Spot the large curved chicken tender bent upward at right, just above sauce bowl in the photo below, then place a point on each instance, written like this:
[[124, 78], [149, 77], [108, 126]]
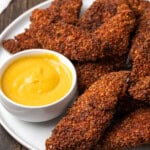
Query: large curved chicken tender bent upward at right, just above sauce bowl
[[110, 39]]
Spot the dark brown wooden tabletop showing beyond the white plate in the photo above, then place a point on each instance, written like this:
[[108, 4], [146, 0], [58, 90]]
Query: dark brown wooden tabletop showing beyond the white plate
[[16, 8]]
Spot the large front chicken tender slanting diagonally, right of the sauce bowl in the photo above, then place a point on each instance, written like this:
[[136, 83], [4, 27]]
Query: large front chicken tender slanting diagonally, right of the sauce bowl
[[86, 120]]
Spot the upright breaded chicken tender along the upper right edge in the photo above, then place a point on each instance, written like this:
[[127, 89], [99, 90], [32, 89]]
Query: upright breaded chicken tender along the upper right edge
[[140, 50]]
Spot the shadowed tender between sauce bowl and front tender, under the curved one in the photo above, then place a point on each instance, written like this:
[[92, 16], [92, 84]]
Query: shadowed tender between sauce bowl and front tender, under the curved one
[[89, 72]]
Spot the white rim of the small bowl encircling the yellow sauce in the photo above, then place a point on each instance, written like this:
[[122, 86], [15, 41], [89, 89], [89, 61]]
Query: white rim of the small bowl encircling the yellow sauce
[[27, 52]]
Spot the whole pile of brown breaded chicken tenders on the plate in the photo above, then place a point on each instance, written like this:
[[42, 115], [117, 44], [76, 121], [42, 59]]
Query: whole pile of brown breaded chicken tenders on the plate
[[109, 44]]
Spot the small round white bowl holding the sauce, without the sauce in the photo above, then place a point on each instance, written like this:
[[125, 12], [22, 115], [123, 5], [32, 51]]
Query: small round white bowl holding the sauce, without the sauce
[[39, 113]]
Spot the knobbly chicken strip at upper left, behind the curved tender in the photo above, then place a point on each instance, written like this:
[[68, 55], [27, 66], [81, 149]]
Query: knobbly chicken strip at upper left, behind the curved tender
[[65, 10]]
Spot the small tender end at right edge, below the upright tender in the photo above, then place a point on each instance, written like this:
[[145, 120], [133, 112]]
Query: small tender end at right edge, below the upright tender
[[141, 89]]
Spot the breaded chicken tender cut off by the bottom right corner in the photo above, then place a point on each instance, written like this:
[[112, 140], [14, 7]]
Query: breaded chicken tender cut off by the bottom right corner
[[133, 131]]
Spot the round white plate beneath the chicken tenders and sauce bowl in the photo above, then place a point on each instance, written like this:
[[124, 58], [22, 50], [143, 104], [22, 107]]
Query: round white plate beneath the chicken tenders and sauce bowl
[[31, 135]]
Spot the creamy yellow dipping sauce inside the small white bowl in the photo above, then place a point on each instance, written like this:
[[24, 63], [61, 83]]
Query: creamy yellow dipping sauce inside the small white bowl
[[36, 80]]
